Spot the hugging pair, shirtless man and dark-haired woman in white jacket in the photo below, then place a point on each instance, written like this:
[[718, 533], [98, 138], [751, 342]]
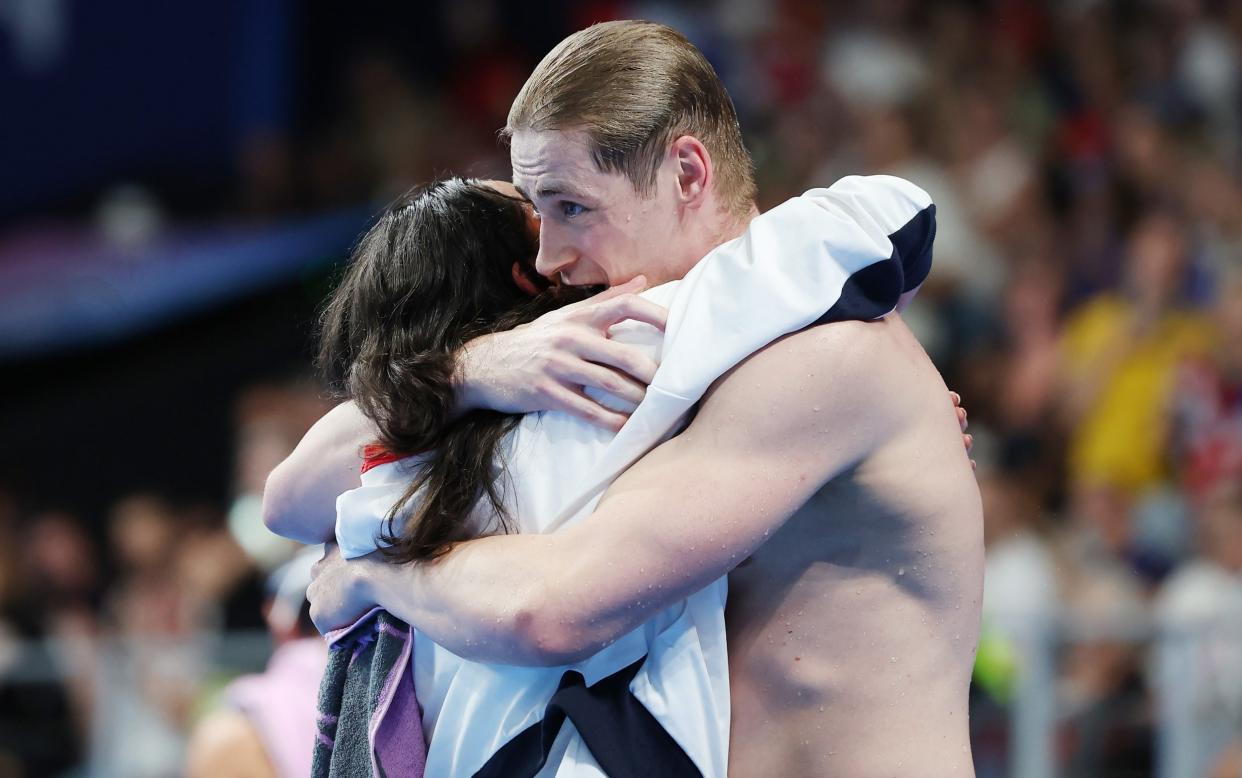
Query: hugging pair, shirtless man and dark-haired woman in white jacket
[[562, 494]]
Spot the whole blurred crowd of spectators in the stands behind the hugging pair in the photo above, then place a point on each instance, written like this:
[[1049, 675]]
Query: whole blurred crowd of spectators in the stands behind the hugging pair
[[1086, 301]]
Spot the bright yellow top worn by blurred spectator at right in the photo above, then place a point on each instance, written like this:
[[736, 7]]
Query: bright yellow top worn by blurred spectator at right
[[1122, 437]]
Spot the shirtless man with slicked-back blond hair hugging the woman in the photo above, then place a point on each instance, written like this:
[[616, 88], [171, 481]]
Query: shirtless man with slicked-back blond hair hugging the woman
[[830, 462]]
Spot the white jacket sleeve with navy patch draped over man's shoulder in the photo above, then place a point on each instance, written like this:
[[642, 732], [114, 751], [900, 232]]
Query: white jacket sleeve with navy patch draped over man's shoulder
[[832, 255]]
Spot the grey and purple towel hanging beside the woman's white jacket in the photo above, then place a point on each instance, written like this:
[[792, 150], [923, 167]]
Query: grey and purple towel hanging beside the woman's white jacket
[[369, 716]]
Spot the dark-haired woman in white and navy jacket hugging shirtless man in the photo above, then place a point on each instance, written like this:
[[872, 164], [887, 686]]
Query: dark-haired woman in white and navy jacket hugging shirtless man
[[451, 263]]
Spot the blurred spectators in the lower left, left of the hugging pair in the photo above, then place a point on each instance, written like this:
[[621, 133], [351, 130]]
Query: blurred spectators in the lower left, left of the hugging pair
[[111, 647]]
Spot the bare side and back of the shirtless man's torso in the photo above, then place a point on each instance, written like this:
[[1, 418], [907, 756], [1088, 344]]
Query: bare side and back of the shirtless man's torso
[[853, 631]]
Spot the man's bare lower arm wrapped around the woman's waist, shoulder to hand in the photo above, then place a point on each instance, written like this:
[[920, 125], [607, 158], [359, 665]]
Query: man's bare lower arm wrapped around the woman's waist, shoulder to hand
[[767, 438]]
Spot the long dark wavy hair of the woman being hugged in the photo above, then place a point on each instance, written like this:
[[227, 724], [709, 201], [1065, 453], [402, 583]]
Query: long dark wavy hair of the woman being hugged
[[437, 270]]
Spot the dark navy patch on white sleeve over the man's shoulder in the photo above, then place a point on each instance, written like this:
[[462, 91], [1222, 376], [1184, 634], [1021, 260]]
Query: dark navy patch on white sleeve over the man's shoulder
[[874, 291]]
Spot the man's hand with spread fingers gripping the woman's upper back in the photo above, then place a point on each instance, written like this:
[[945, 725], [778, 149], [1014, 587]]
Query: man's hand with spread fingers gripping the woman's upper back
[[547, 365]]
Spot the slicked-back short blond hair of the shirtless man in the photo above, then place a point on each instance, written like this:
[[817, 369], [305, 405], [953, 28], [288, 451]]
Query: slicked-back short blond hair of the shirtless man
[[635, 88]]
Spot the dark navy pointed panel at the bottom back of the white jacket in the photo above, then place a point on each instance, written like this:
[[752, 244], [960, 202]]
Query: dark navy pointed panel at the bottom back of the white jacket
[[623, 735]]
